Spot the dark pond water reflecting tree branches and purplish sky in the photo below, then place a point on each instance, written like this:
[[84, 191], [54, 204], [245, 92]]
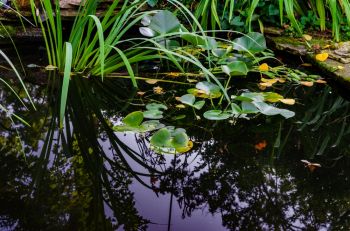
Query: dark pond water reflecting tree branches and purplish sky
[[245, 175]]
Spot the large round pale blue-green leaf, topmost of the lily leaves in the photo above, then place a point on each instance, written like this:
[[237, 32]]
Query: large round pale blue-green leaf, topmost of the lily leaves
[[164, 22]]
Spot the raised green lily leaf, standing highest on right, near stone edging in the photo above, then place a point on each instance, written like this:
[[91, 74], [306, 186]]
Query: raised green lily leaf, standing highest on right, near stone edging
[[253, 42]]
